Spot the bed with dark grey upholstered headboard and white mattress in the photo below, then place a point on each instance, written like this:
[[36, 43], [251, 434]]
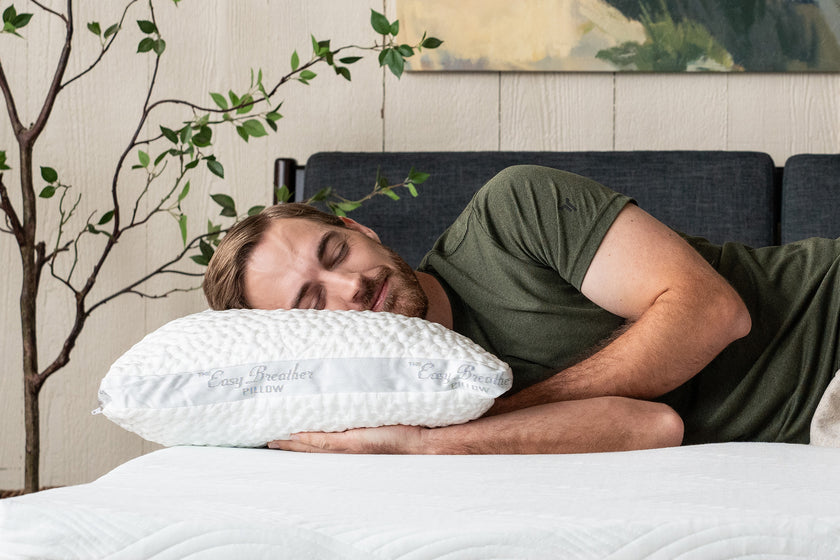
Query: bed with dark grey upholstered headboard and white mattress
[[714, 501]]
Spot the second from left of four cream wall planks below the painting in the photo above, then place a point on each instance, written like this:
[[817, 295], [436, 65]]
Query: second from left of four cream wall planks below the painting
[[556, 111]]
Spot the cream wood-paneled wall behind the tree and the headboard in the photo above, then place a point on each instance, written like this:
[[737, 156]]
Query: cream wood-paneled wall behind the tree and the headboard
[[211, 46]]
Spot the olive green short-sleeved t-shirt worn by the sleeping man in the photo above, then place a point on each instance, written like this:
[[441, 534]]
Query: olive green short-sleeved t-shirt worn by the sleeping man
[[512, 265]]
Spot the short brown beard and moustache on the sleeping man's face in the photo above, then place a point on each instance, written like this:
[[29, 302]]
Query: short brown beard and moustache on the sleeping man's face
[[405, 296]]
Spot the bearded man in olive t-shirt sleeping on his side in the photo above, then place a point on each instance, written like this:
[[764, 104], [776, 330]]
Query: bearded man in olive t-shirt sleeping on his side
[[610, 321]]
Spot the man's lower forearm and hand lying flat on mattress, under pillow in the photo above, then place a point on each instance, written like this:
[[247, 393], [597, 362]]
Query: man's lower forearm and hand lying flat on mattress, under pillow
[[592, 425]]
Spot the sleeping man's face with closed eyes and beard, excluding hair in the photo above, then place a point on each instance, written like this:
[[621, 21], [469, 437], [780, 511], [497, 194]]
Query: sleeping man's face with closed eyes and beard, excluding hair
[[308, 265]]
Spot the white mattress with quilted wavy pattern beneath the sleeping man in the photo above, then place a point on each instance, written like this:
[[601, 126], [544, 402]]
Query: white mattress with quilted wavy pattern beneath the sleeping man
[[734, 500]]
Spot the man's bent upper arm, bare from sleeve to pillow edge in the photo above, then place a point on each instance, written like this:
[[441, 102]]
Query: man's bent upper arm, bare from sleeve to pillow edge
[[681, 314]]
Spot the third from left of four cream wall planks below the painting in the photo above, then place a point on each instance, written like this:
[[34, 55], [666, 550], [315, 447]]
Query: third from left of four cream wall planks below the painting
[[670, 111]]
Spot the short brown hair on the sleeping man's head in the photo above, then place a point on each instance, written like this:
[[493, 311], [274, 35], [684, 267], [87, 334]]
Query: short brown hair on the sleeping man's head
[[224, 280]]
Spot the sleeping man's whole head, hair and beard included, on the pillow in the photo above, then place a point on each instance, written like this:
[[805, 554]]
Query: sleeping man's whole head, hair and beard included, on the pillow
[[294, 256]]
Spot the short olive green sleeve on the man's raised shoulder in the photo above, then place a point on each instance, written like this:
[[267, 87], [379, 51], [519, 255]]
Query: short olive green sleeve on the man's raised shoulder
[[551, 217]]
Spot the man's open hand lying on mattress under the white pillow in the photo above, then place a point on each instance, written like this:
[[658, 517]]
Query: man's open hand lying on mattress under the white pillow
[[383, 440]]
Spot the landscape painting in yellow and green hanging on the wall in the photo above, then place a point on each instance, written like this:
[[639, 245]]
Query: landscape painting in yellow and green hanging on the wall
[[625, 35]]
